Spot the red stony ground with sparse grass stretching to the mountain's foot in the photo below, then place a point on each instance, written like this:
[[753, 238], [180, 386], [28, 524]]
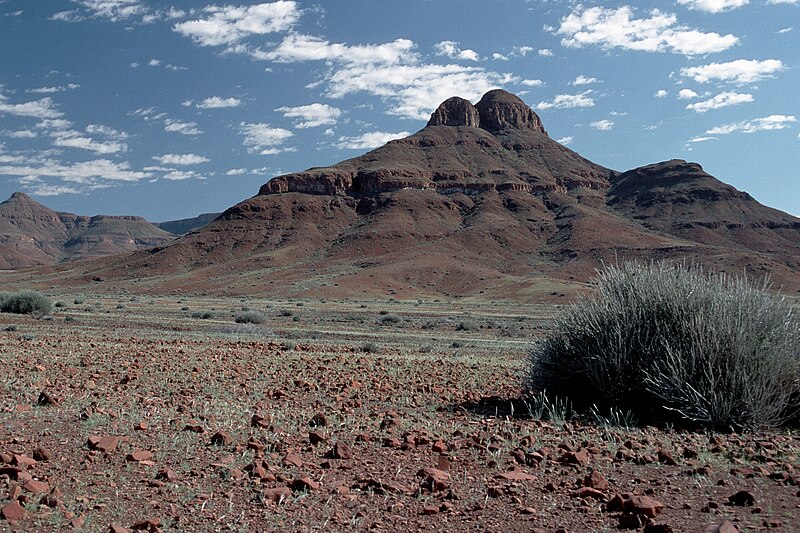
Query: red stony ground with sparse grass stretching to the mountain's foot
[[124, 412]]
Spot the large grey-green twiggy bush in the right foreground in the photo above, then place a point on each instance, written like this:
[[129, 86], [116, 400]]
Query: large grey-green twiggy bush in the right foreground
[[675, 344]]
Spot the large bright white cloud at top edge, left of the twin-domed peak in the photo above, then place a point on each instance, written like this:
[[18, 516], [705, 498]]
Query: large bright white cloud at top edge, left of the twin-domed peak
[[228, 25]]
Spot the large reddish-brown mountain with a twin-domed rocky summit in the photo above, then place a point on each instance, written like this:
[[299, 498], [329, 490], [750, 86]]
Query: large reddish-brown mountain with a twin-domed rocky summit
[[479, 203]]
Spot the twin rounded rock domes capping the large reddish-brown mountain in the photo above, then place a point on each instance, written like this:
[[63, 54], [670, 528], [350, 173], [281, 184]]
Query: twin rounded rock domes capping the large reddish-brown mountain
[[497, 110]]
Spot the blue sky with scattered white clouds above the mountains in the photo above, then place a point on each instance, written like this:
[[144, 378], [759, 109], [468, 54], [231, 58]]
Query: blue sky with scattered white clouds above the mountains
[[172, 109]]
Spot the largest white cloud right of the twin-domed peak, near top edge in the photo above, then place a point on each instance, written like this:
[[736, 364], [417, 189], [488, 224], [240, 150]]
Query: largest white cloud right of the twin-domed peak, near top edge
[[616, 28]]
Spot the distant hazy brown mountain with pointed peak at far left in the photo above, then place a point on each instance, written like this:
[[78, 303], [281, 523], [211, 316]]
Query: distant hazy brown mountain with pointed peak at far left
[[33, 235]]
